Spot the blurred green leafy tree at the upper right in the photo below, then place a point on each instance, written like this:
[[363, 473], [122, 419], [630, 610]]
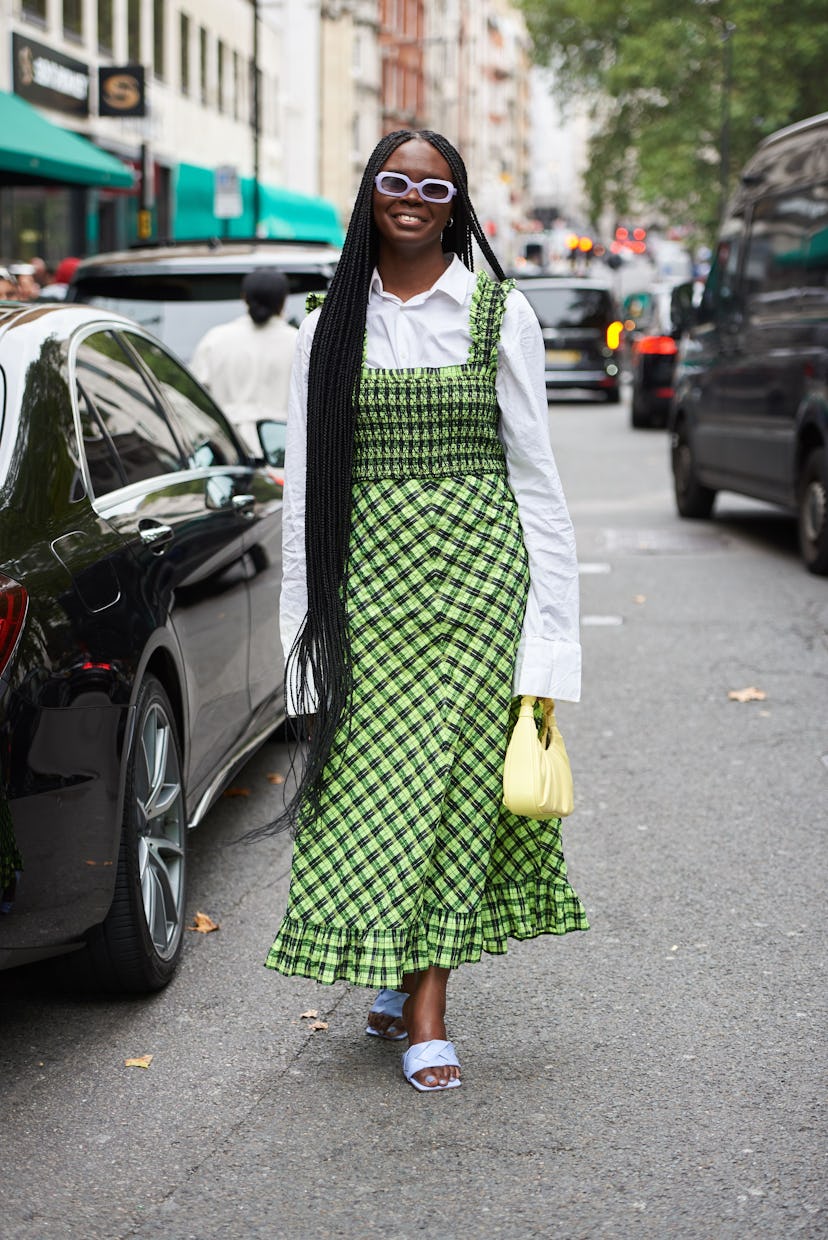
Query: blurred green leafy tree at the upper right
[[674, 84]]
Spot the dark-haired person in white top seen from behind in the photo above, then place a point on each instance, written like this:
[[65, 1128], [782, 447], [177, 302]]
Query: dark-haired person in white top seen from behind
[[246, 364]]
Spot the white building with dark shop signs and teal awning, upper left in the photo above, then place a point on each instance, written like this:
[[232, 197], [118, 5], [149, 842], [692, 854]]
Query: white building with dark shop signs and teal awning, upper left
[[218, 85]]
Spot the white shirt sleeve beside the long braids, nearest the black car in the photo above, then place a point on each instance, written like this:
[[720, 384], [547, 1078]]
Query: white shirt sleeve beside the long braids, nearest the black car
[[293, 603]]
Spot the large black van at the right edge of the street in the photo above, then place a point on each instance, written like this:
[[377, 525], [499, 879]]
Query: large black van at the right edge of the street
[[751, 412]]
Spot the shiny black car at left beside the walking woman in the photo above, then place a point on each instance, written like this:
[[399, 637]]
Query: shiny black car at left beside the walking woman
[[139, 653]]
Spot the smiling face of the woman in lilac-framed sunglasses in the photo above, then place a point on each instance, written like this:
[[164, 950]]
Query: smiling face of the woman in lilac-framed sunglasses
[[410, 224]]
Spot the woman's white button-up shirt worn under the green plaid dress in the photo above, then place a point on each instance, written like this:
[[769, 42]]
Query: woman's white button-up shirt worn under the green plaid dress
[[432, 329]]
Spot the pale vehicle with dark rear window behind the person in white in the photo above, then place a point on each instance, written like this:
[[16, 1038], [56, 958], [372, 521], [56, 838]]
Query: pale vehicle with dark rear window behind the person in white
[[179, 292]]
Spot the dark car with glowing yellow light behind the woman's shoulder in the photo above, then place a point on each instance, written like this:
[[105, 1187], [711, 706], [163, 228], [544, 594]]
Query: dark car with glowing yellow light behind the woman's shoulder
[[582, 333]]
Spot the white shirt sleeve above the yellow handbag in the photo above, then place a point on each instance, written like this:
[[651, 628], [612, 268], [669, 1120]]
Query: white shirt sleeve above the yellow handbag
[[550, 657]]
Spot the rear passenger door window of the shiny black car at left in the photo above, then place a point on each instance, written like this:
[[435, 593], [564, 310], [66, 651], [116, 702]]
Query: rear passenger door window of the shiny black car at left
[[118, 406]]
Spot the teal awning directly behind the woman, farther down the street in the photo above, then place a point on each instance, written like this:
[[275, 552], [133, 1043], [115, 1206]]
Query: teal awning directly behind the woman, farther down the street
[[283, 214]]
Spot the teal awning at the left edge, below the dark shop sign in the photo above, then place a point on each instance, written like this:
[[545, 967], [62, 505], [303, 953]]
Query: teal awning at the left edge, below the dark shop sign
[[33, 147]]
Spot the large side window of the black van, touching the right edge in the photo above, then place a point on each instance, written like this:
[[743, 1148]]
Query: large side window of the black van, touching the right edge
[[788, 249]]
